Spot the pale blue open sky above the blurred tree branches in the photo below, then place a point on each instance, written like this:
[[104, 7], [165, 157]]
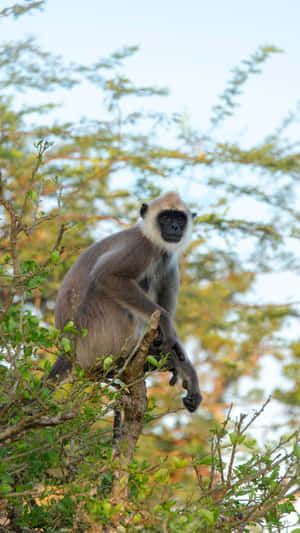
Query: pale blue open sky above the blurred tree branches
[[187, 46]]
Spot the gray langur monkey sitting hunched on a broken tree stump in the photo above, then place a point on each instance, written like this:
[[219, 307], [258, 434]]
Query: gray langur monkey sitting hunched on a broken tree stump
[[116, 284]]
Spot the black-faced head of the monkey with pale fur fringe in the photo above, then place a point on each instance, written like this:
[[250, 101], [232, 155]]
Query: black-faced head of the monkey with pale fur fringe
[[167, 222]]
